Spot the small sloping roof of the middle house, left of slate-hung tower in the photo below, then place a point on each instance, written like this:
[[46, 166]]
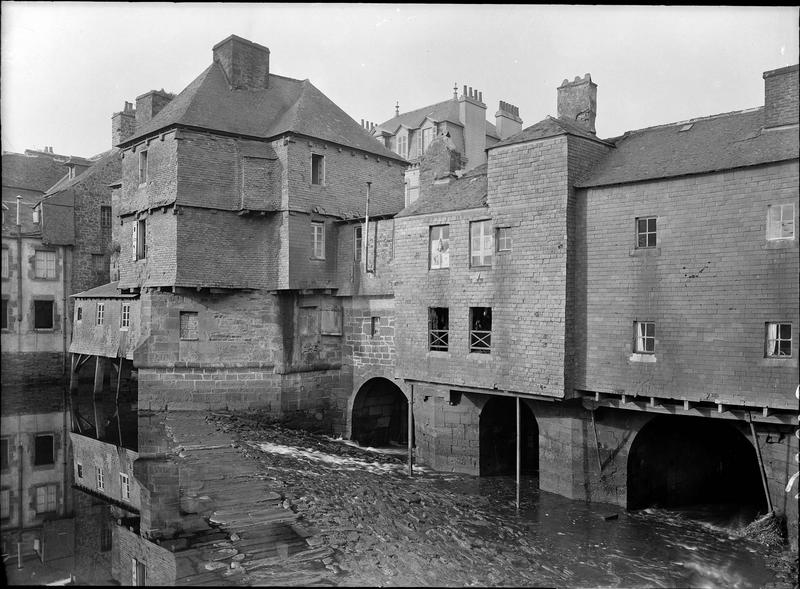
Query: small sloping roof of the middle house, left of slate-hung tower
[[467, 192]]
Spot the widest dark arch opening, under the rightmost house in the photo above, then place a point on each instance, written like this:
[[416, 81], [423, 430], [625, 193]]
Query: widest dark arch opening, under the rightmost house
[[678, 461]]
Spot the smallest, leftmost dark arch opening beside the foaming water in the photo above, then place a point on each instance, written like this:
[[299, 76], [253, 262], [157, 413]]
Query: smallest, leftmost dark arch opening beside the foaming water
[[378, 413]]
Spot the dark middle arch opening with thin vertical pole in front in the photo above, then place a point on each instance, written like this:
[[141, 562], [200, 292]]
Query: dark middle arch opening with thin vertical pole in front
[[497, 438]]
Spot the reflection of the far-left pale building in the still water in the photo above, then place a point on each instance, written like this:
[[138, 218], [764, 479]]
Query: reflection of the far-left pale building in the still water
[[35, 493]]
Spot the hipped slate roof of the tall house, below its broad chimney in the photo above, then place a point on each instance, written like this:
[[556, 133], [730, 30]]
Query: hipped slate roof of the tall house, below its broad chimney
[[287, 105]]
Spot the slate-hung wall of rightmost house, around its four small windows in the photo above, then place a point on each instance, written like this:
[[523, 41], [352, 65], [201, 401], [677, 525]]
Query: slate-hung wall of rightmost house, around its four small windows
[[711, 285]]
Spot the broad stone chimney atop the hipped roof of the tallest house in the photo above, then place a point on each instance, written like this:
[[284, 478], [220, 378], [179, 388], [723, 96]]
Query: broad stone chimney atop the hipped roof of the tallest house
[[246, 64]]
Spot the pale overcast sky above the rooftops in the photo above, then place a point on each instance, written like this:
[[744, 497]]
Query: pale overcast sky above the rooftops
[[66, 67]]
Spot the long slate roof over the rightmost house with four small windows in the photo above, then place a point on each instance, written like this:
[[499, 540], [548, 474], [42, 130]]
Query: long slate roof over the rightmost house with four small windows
[[719, 142]]
